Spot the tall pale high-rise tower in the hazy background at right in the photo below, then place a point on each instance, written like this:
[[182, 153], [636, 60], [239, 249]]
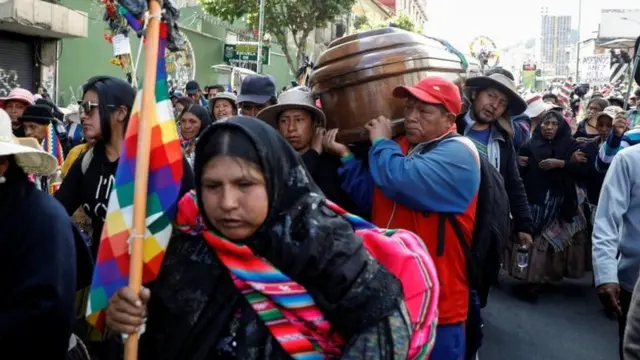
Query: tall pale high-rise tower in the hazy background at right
[[555, 43]]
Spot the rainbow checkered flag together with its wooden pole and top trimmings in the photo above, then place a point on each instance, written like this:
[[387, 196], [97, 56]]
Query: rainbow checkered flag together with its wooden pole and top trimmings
[[145, 192]]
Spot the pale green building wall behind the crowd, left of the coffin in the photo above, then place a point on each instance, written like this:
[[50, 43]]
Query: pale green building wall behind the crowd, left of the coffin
[[205, 38]]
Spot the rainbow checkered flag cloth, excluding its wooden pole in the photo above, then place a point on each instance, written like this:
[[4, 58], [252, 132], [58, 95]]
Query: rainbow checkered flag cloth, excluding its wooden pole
[[165, 174]]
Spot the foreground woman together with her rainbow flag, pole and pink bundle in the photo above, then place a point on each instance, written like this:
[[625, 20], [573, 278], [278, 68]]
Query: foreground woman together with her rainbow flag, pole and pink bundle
[[263, 267]]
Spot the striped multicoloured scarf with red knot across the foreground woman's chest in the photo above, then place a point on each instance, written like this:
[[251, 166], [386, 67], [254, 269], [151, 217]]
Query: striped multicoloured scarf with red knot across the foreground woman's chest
[[286, 308]]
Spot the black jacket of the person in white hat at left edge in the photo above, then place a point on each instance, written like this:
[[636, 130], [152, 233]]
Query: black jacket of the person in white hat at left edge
[[37, 274]]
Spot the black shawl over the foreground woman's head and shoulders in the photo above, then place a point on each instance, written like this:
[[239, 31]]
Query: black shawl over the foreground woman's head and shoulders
[[194, 297]]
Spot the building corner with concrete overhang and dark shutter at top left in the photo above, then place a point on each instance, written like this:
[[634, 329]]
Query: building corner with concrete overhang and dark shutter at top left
[[30, 38]]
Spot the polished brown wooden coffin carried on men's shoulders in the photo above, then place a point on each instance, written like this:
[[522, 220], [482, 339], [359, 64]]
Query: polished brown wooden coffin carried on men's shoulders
[[355, 76]]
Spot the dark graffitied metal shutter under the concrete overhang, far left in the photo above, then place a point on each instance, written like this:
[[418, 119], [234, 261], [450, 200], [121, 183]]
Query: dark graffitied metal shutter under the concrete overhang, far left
[[17, 63]]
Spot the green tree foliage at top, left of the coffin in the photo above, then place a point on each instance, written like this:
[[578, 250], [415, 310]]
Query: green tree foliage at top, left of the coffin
[[284, 20]]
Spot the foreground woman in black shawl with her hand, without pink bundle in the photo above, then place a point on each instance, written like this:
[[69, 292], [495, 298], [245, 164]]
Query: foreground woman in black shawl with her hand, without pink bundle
[[254, 196]]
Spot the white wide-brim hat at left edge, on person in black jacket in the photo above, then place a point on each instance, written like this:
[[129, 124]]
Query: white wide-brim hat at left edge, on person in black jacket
[[28, 153]]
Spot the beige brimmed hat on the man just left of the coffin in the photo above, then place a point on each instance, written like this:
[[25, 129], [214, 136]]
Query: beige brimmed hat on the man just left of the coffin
[[299, 97]]
